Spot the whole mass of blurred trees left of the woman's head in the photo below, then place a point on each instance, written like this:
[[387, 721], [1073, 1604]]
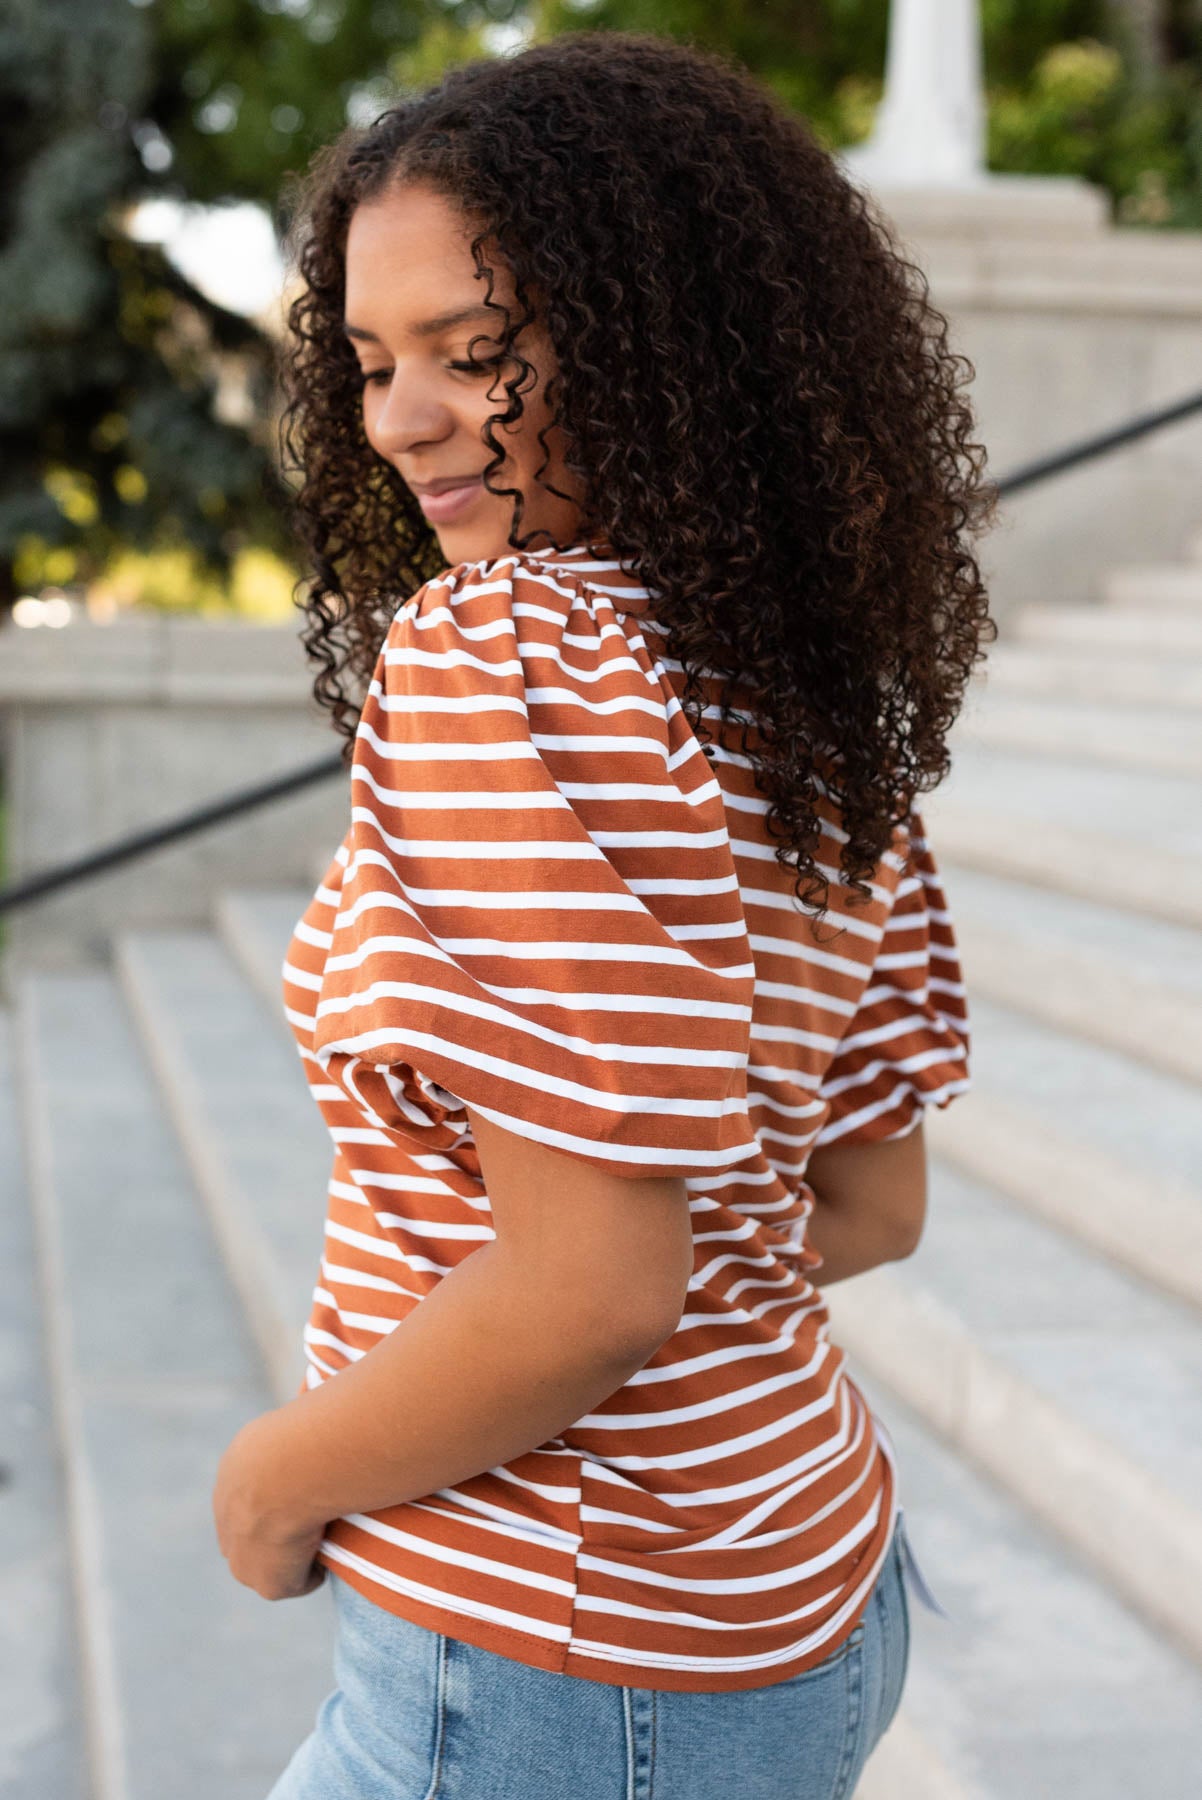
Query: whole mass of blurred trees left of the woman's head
[[134, 411]]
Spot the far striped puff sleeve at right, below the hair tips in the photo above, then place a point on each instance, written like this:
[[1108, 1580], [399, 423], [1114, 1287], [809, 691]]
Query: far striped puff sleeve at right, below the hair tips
[[908, 1045]]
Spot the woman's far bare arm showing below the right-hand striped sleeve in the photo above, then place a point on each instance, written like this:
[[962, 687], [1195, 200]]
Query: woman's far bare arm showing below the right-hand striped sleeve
[[872, 1203]]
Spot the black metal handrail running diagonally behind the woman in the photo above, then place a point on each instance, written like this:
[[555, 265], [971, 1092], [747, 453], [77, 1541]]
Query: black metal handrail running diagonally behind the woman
[[246, 800]]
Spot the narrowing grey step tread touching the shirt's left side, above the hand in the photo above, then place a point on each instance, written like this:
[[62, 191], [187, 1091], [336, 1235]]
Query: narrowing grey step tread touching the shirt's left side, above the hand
[[256, 1144]]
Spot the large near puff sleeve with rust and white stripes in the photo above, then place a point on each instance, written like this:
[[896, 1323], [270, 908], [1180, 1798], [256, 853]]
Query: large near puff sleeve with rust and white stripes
[[539, 913]]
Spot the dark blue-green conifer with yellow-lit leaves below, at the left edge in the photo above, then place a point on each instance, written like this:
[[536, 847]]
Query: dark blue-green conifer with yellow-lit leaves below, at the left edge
[[111, 361]]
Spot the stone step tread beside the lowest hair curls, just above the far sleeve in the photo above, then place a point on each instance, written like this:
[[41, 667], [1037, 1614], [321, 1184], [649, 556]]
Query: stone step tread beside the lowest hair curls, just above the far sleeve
[[1079, 863]]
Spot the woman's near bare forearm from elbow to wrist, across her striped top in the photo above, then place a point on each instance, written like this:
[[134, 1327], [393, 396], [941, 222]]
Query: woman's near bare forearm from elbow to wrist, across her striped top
[[487, 1369]]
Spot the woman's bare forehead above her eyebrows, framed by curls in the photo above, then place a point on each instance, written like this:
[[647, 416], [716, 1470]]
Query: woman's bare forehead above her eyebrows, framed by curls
[[409, 255]]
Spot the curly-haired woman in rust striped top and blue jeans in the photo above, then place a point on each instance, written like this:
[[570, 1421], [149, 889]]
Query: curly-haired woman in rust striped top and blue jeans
[[638, 489]]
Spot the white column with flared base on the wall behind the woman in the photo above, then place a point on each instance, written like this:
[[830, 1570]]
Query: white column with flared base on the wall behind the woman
[[929, 129]]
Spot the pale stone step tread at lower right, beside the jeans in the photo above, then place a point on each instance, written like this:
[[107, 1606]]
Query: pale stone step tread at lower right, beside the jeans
[[1043, 1682]]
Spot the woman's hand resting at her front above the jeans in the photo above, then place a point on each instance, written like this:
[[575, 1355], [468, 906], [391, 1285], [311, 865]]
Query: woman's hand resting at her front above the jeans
[[264, 1545]]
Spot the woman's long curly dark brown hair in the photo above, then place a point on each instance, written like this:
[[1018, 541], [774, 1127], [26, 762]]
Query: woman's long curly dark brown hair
[[755, 390]]
